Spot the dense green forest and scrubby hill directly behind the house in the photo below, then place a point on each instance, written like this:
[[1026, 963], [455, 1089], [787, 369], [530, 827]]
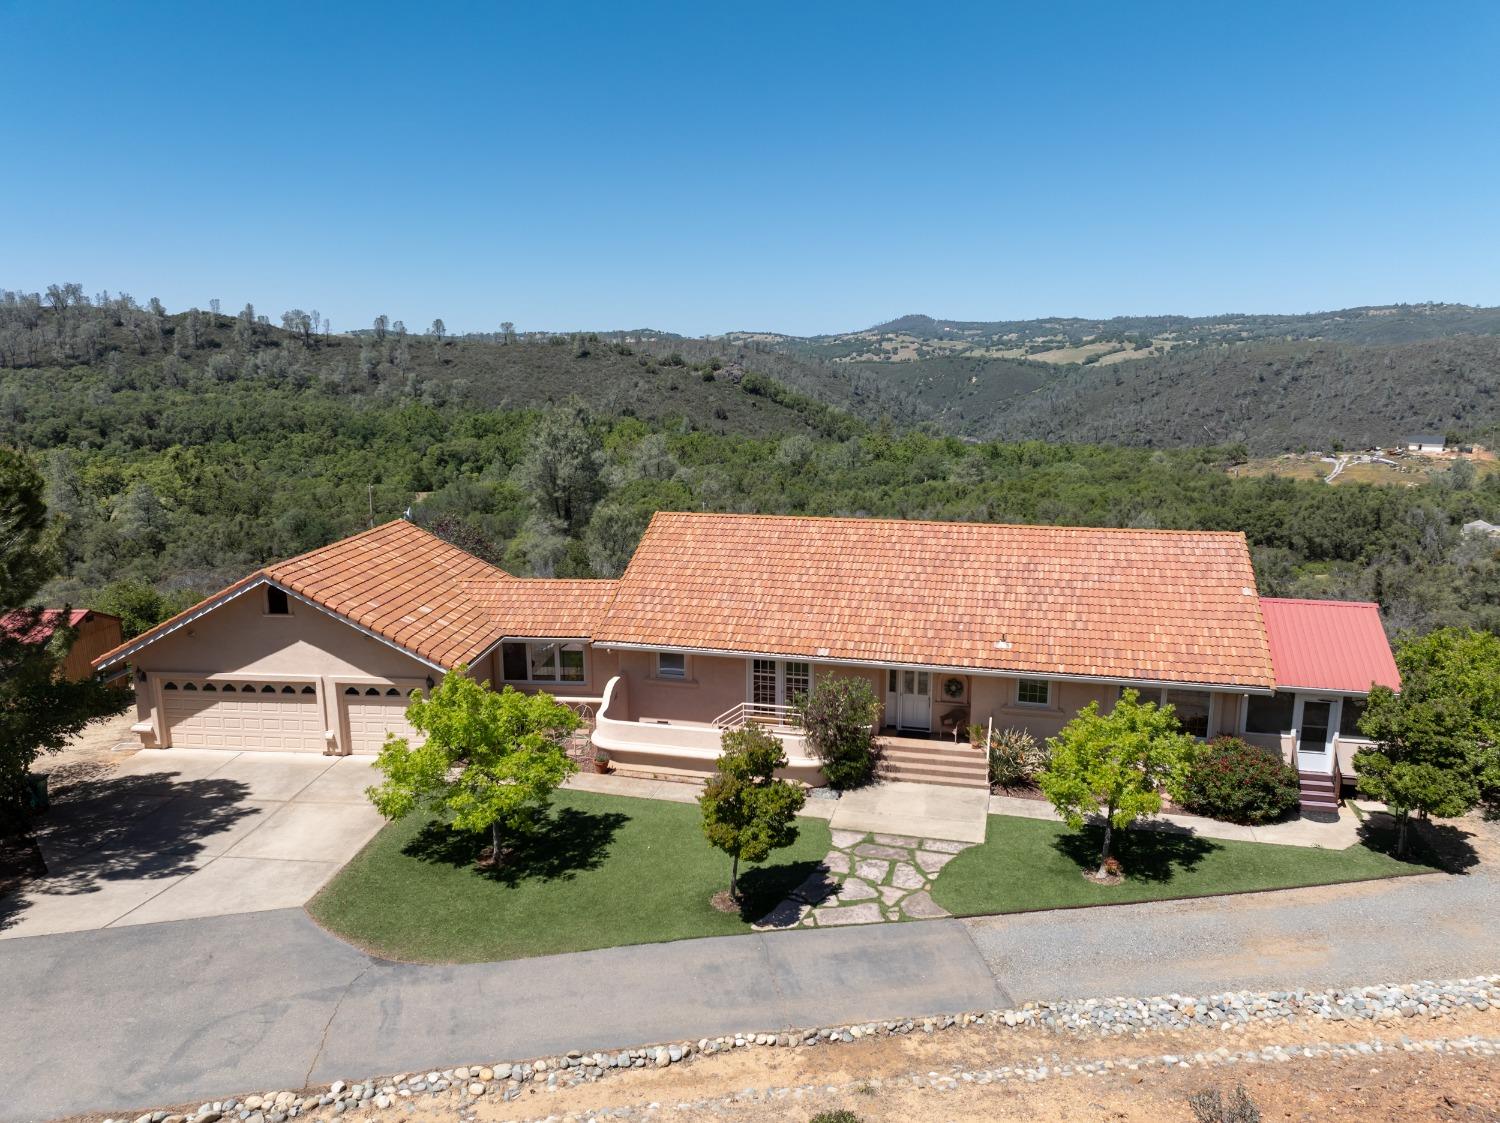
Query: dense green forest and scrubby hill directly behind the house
[[181, 452]]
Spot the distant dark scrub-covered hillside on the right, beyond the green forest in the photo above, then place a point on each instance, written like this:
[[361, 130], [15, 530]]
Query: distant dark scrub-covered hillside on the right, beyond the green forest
[[1271, 397]]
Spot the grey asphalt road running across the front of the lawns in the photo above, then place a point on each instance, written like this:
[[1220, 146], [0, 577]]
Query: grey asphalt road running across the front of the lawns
[[160, 1014]]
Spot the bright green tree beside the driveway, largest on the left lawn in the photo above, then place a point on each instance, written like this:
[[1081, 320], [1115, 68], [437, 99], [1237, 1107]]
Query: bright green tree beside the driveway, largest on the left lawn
[[490, 762]]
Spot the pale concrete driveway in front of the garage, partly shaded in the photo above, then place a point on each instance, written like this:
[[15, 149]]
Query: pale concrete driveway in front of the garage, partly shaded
[[178, 834]]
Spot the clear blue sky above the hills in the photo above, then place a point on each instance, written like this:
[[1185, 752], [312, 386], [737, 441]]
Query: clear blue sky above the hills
[[797, 167]]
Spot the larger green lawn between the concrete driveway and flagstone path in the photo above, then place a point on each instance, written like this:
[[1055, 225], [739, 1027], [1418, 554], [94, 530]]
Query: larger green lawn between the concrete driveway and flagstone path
[[607, 872]]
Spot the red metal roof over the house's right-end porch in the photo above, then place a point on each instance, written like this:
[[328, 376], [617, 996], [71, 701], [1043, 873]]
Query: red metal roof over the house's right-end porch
[[1328, 645]]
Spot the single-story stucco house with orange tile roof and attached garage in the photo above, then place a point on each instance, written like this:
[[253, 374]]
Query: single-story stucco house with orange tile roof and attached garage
[[725, 618]]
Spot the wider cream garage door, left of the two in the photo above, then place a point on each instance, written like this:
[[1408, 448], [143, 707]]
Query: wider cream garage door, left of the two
[[271, 716]]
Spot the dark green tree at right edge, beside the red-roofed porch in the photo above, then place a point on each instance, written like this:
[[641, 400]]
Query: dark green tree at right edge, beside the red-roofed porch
[[1438, 747]]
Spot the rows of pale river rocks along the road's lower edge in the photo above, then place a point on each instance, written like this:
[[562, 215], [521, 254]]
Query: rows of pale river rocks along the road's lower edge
[[1109, 1017]]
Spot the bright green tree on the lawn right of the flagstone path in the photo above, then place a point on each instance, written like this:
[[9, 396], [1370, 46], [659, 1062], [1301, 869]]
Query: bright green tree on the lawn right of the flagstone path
[[1115, 765]]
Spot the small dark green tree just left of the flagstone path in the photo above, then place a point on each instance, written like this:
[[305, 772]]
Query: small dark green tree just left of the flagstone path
[[748, 812]]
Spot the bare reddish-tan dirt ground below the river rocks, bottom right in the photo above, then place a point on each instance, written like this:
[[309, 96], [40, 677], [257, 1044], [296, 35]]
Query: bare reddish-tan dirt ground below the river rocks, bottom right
[[866, 1079]]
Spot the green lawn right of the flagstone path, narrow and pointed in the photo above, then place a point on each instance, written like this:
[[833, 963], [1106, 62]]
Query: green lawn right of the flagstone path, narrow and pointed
[[1027, 864]]
